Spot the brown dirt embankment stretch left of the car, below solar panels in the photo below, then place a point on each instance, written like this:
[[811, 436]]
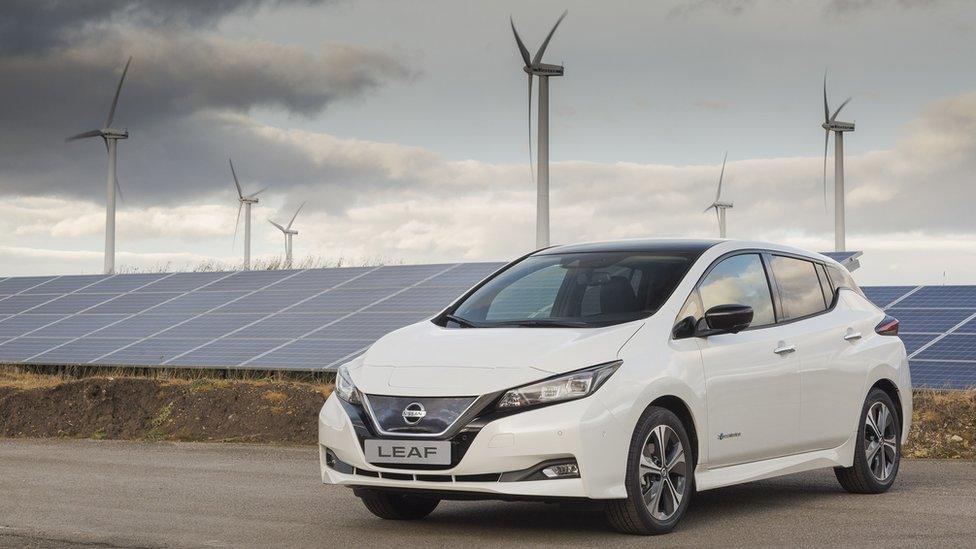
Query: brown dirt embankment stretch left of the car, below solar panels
[[142, 408]]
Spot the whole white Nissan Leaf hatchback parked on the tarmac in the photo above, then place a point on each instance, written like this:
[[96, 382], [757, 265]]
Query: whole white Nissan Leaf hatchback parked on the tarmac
[[636, 372]]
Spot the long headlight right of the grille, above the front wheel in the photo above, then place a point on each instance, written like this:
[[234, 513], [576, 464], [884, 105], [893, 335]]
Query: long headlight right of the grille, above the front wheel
[[570, 386]]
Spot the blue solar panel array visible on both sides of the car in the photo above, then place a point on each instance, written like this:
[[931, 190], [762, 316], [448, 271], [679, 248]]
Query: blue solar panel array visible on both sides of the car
[[316, 319]]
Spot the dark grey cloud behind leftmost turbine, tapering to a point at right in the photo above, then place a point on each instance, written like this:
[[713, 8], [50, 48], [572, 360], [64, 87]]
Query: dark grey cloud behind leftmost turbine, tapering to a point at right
[[178, 98]]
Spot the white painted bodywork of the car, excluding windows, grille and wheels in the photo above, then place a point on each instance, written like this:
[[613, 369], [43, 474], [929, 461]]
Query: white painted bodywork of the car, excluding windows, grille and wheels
[[752, 413]]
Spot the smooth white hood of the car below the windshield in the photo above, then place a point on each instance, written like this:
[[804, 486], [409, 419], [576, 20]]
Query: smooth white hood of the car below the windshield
[[427, 360]]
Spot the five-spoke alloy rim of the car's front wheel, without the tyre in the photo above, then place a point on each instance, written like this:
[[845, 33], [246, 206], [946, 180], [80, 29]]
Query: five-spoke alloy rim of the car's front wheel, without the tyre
[[663, 472]]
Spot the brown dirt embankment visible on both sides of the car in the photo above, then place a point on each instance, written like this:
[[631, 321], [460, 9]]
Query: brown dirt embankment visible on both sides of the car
[[944, 423]]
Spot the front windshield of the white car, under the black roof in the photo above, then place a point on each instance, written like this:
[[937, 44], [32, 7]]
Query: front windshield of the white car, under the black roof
[[573, 290]]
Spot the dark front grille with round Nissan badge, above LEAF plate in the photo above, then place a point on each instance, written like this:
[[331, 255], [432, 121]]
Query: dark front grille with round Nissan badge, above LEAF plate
[[401, 415]]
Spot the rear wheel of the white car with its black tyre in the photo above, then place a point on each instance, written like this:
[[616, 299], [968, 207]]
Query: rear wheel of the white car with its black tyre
[[875, 467]]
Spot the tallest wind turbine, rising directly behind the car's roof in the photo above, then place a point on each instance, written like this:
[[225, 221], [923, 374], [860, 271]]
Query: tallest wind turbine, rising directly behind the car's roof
[[535, 67]]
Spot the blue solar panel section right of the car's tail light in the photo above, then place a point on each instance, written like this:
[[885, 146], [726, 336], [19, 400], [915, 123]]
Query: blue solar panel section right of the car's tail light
[[938, 326]]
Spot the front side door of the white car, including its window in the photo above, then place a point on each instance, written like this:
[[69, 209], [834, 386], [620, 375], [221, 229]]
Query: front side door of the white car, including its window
[[752, 386]]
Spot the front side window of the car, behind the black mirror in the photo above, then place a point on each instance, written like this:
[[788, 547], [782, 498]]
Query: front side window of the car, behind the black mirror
[[739, 280]]
